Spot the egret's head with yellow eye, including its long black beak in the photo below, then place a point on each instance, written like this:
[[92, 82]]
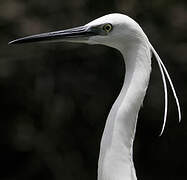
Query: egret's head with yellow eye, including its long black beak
[[114, 30]]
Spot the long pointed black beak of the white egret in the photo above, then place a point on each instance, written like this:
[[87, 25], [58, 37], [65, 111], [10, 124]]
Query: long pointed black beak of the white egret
[[78, 34]]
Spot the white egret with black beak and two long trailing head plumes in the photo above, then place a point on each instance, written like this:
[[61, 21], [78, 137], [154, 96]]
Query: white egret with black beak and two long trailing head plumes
[[123, 33]]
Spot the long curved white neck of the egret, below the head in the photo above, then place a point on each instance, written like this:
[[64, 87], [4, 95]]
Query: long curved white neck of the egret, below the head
[[115, 159]]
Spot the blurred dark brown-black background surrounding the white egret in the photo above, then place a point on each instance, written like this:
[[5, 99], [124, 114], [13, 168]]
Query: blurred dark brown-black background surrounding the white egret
[[54, 98]]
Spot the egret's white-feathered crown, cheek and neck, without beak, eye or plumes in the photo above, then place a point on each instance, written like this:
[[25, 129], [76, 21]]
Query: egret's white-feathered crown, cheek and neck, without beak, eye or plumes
[[116, 150]]
